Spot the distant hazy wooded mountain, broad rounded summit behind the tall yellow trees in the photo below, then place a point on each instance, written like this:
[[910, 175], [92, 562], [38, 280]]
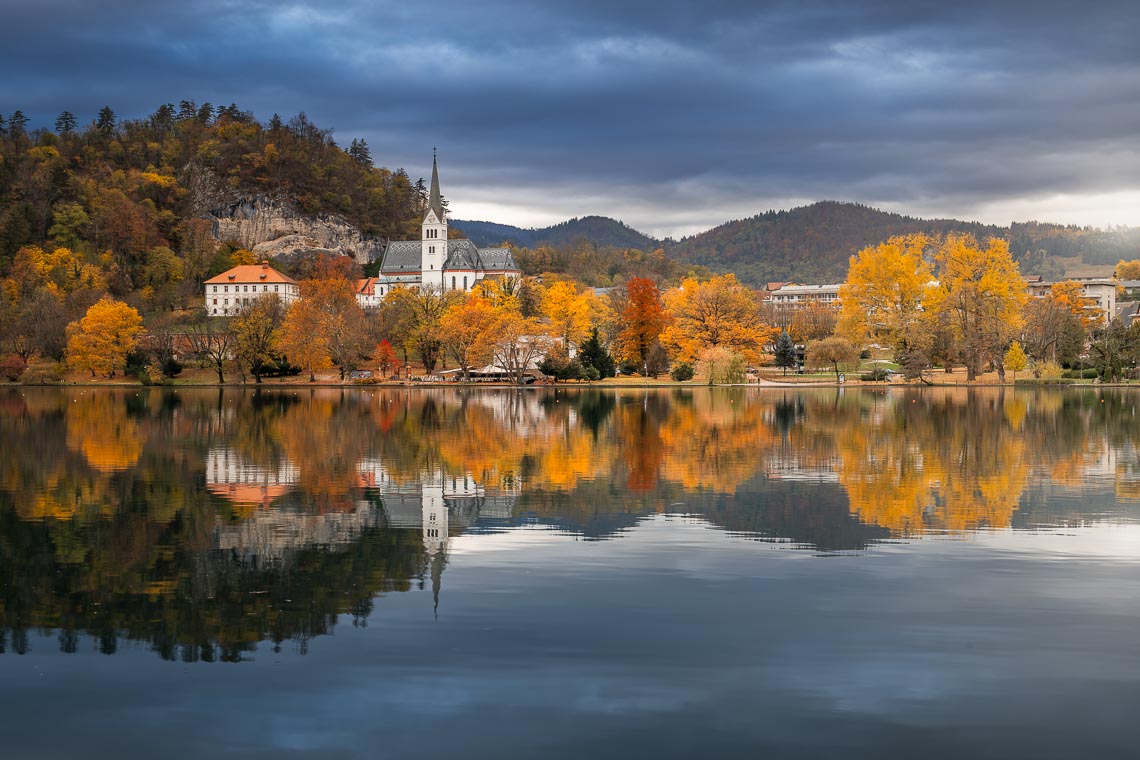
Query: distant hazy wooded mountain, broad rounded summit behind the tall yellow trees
[[810, 244]]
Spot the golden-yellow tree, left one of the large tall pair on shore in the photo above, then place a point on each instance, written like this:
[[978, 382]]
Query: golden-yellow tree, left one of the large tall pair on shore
[[882, 300]]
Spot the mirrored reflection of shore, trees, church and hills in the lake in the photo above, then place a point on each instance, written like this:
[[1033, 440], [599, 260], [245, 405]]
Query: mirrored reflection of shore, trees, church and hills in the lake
[[203, 522]]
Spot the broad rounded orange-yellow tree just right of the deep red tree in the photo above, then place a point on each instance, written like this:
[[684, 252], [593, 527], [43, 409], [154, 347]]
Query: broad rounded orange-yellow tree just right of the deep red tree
[[716, 313]]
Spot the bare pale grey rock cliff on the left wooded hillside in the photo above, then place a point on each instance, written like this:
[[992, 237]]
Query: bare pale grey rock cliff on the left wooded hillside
[[274, 228]]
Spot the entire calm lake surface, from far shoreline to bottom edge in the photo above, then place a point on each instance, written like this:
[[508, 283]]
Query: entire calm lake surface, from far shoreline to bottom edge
[[496, 574]]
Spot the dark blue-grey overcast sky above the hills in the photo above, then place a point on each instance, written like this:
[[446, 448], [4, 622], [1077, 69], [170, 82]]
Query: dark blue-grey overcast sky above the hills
[[671, 116]]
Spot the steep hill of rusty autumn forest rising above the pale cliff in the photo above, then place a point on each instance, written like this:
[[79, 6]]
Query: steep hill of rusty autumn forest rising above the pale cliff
[[139, 198]]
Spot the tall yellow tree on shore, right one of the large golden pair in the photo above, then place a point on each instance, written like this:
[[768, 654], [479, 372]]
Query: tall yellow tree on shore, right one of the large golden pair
[[981, 293]]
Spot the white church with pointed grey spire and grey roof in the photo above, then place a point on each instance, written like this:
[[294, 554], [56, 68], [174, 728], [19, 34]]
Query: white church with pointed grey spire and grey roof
[[437, 263]]
